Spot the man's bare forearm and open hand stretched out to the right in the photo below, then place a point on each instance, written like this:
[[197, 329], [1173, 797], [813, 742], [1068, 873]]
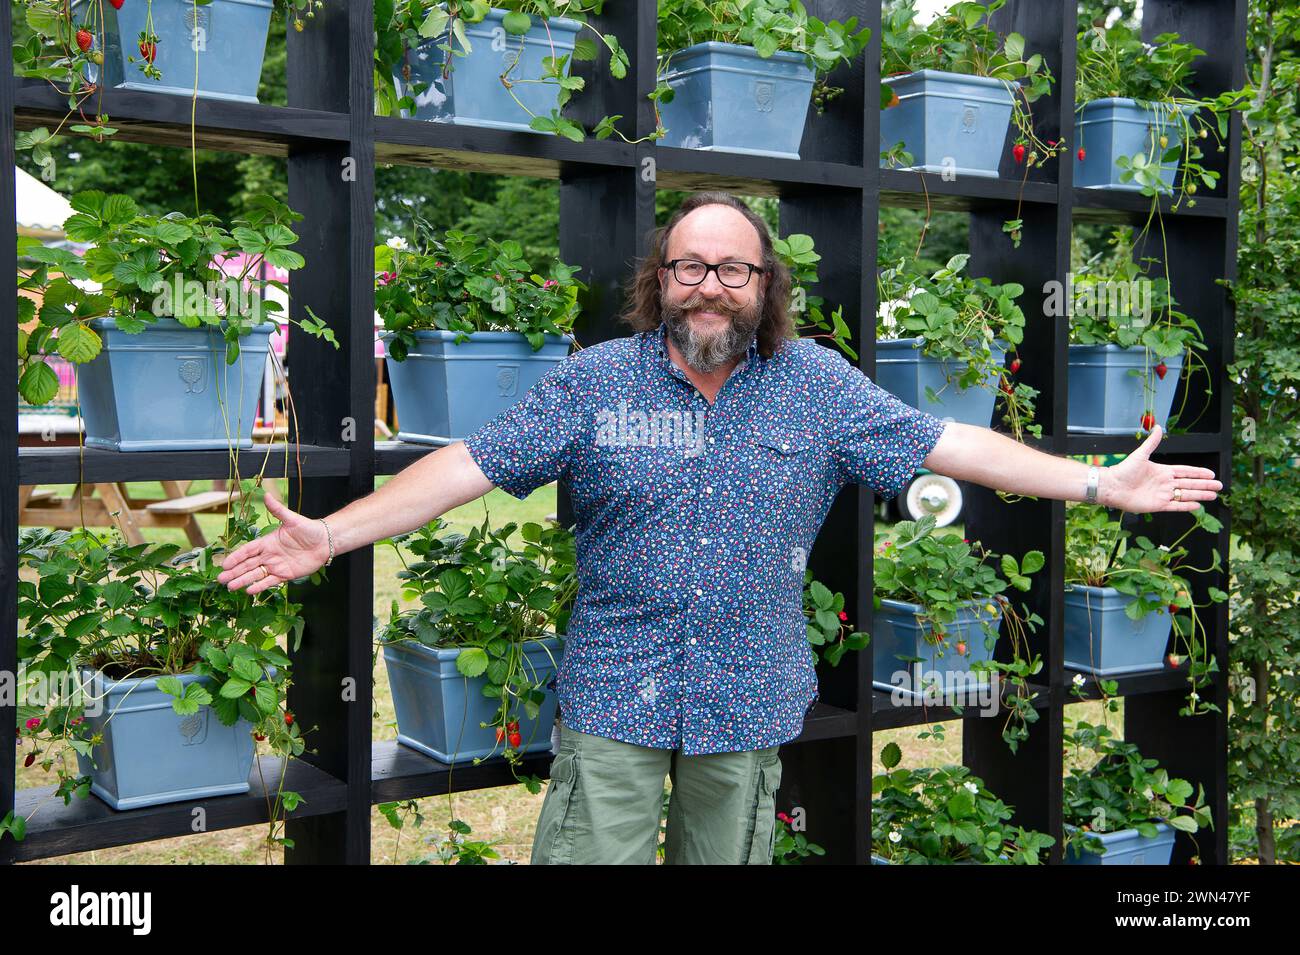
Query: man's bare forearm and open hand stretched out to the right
[[1137, 485]]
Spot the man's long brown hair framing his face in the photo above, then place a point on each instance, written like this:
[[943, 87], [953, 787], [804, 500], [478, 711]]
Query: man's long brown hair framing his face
[[643, 296]]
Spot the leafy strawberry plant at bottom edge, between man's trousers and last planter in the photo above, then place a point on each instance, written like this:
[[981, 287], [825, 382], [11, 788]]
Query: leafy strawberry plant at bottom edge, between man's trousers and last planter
[[941, 817]]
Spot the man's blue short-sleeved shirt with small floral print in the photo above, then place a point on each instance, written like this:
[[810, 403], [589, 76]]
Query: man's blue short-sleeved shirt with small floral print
[[694, 527]]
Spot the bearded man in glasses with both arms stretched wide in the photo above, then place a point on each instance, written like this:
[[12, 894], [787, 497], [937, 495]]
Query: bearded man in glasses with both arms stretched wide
[[703, 454]]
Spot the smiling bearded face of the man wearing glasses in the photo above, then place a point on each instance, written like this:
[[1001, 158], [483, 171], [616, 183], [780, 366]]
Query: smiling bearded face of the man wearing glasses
[[713, 324]]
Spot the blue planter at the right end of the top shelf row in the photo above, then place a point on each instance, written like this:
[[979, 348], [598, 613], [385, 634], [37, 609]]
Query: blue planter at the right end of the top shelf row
[[1117, 127]]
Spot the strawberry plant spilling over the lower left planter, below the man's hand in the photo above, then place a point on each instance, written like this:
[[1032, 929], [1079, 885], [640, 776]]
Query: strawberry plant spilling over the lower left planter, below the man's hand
[[94, 606]]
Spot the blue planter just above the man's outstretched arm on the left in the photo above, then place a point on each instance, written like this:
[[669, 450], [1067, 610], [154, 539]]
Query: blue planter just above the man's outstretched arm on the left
[[444, 392]]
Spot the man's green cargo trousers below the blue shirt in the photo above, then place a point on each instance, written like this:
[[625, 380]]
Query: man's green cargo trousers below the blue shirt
[[605, 801]]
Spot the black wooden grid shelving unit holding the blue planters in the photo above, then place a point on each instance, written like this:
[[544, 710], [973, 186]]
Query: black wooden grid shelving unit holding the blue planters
[[834, 193]]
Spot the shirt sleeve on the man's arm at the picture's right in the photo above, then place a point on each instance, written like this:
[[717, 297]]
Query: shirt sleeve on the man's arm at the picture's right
[[878, 440]]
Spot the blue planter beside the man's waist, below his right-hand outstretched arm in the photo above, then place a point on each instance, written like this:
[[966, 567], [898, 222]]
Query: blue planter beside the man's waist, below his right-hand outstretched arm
[[896, 633]]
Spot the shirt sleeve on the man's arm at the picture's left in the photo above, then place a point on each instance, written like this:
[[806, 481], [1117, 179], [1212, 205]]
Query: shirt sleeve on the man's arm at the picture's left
[[531, 444]]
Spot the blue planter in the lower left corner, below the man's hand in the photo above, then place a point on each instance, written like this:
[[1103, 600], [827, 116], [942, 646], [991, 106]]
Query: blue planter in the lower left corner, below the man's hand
[[153, 756]]
